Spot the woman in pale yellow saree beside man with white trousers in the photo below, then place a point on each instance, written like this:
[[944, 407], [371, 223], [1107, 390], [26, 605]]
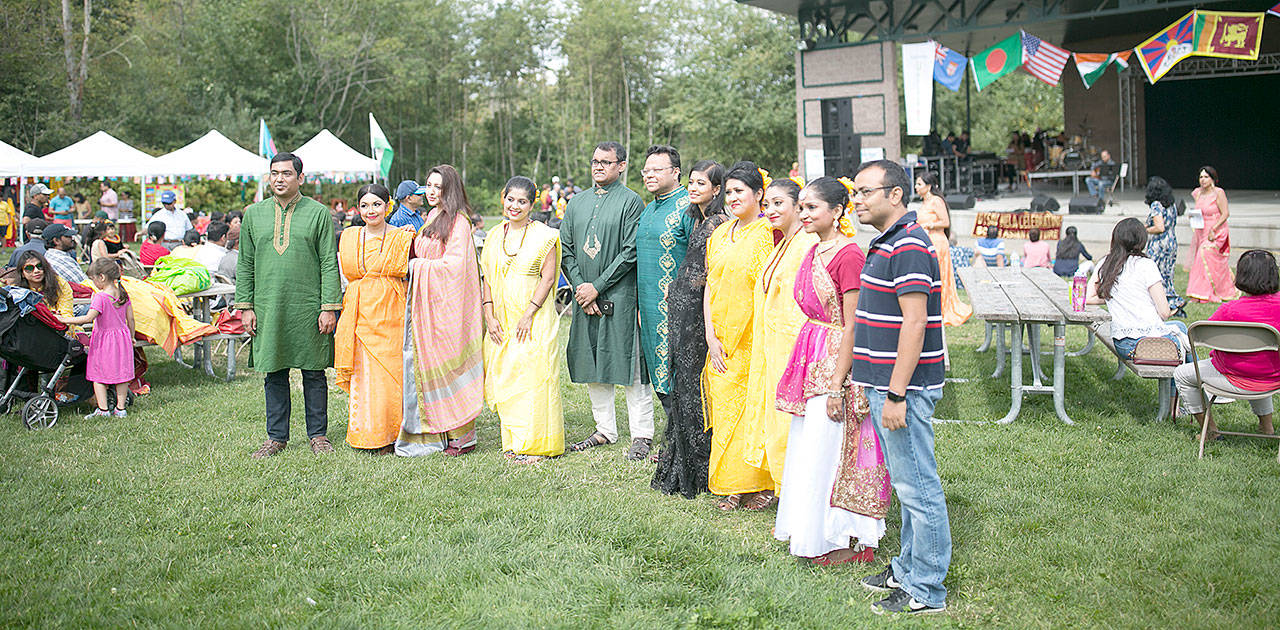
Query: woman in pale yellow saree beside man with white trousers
[[522, 351]]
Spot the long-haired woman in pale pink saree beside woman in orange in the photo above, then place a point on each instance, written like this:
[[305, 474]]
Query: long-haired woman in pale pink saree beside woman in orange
[[444, 335]]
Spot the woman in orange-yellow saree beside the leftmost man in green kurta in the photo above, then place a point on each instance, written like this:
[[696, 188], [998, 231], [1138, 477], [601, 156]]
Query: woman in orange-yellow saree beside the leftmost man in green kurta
[[374, 261]]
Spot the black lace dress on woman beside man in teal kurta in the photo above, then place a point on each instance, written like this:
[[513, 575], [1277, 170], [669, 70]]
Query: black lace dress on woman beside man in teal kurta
[[687, 449]]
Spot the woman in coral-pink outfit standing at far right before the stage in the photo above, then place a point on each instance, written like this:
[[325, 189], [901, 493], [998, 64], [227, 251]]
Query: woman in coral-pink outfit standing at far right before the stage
[[1212, 245]]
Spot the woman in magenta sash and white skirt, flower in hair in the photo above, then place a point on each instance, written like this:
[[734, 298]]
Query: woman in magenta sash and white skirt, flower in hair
[[835, 485]]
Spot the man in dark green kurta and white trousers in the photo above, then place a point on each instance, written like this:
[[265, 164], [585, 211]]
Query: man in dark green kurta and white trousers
[[598, 238]]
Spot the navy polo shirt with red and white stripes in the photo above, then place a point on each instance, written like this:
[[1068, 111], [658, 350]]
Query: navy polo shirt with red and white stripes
[[899, 262]]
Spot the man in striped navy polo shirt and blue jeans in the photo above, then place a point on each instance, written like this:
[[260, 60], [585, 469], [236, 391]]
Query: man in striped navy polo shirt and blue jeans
[[899, 360]]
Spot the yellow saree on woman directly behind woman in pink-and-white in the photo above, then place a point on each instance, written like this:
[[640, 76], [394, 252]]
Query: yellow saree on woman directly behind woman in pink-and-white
[[776, 326]]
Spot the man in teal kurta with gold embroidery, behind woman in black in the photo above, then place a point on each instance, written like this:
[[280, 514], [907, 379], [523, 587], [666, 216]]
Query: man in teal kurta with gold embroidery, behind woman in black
[[662, 240]]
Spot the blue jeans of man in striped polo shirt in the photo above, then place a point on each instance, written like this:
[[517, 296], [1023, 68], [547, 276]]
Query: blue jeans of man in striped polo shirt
[[926, 555]]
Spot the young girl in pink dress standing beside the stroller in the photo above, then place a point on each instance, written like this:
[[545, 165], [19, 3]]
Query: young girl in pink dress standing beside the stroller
[[111, 348]]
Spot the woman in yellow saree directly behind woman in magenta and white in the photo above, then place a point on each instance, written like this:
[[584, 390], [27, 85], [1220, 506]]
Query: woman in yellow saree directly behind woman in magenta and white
[[776, 325]]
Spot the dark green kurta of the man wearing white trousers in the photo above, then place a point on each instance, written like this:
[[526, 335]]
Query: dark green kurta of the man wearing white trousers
[[600, 246]]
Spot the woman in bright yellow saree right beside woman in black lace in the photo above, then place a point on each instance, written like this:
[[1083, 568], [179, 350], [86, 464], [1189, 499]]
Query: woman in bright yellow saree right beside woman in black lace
[[735, 257]]
